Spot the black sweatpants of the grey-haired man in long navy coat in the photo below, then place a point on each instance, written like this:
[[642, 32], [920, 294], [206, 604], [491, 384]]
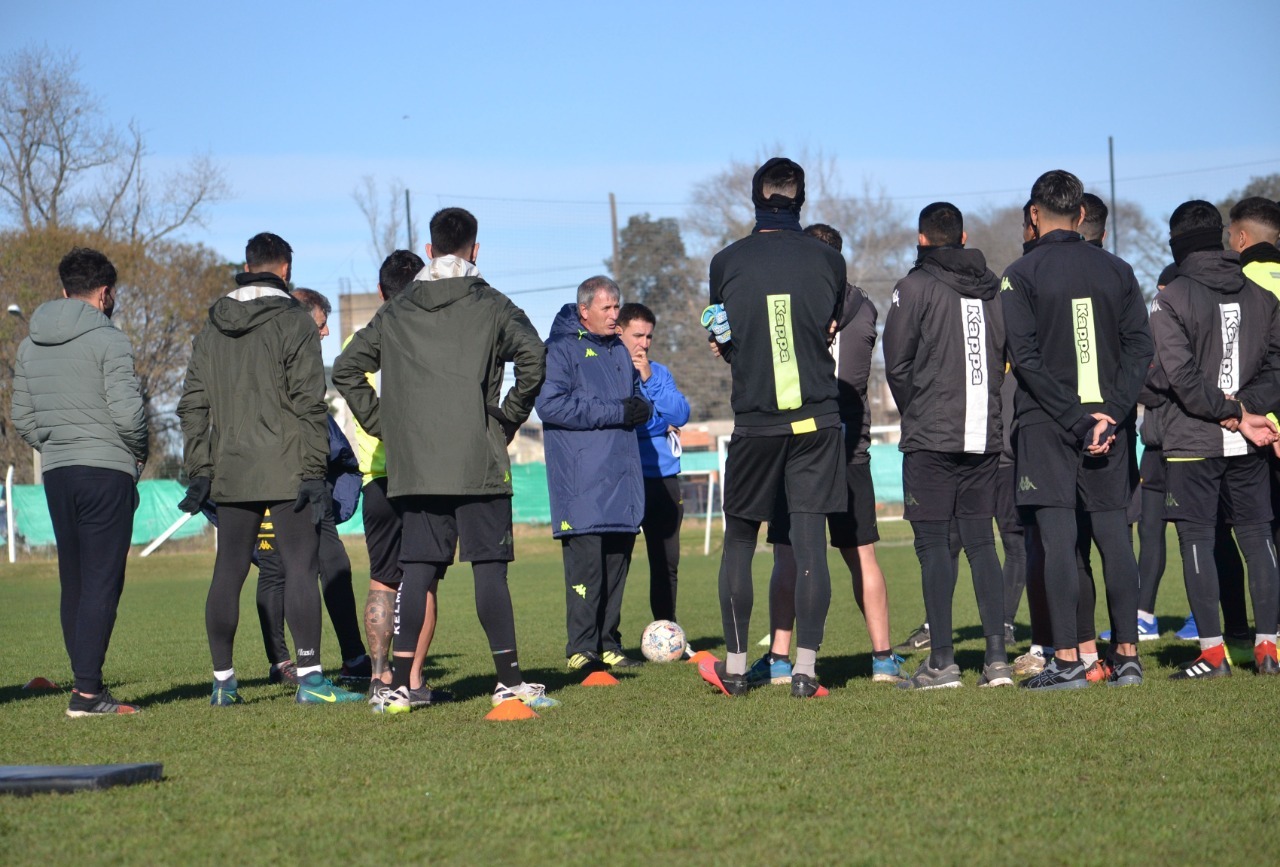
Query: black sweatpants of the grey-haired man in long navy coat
[[596, 576]]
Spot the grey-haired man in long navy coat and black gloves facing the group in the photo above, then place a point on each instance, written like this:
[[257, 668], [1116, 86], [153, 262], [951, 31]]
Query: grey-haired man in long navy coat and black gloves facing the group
[[591, 407]]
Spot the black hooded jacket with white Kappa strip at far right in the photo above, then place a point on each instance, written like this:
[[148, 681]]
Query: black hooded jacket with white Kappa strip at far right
[[1217, 335]]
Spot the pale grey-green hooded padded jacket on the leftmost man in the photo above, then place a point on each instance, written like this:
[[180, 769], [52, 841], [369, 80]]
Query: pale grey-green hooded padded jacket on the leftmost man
[[76, 398]]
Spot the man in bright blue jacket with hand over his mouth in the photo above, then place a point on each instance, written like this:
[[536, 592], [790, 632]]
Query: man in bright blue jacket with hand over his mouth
[[660, 459]]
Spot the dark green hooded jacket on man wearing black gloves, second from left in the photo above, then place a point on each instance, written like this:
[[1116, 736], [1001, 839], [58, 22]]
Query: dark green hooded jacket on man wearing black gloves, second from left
[[253, 408]]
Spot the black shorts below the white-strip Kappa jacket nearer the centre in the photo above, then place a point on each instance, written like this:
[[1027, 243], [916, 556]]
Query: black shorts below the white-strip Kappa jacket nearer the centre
[[944, 486]]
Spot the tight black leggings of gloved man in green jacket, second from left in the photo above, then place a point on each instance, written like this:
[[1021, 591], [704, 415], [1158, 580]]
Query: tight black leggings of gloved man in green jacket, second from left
[[298, 541]]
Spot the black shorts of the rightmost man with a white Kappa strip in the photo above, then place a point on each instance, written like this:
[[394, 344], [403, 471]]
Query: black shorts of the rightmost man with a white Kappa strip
[[1238, 487]]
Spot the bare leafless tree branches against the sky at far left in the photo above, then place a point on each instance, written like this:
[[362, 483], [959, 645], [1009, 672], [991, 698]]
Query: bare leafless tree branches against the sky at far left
[[63, 165]]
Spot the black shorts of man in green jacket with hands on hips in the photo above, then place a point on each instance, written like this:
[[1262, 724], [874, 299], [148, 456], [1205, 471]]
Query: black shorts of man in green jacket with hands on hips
[[435, 527]]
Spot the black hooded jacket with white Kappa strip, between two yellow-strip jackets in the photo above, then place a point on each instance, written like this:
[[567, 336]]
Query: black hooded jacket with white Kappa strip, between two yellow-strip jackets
[[945, 354]]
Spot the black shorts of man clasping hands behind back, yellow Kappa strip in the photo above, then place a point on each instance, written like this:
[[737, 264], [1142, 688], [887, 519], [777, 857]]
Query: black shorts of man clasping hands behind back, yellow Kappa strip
[[1053, 471]]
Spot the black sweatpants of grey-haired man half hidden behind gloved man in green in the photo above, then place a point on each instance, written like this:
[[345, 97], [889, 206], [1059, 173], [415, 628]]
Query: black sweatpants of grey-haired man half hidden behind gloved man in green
[[340, 600]]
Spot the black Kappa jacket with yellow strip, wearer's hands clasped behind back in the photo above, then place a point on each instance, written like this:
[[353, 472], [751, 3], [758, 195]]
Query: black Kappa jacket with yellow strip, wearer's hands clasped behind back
[[1076, 331]]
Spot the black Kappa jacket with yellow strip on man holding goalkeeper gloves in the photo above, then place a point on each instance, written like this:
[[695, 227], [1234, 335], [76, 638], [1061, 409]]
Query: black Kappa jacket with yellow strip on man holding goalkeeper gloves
[[781, 291]]
